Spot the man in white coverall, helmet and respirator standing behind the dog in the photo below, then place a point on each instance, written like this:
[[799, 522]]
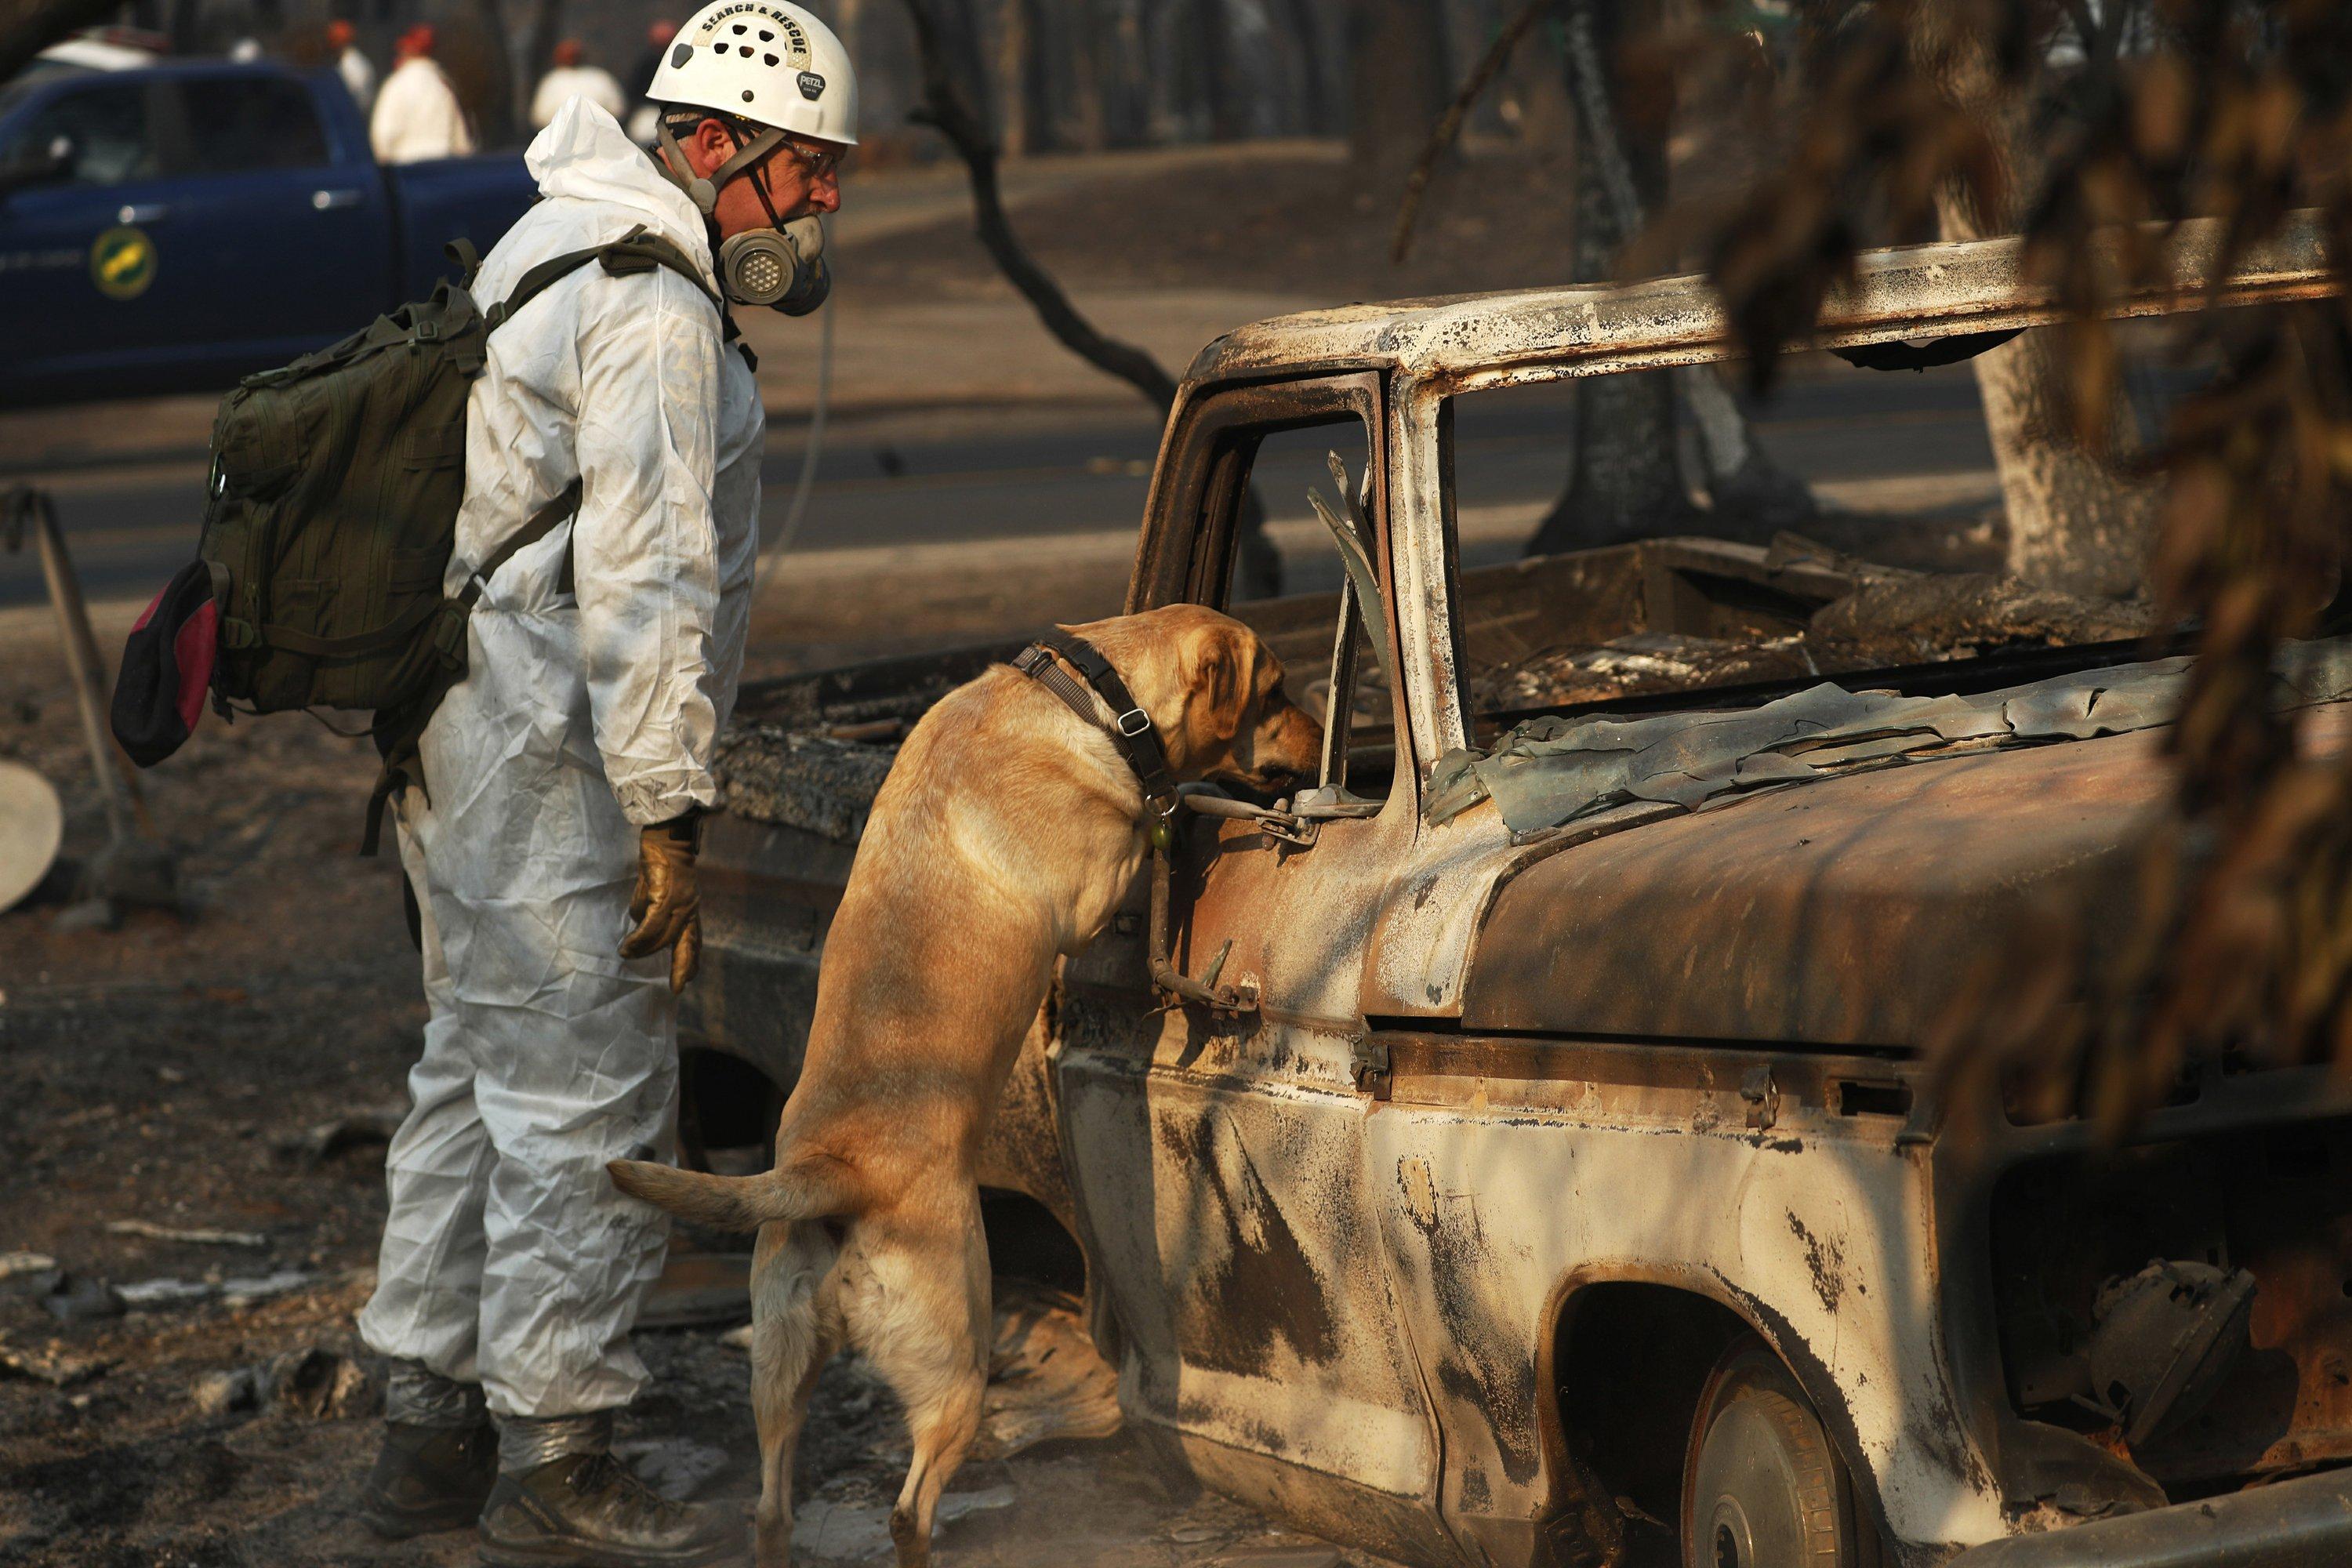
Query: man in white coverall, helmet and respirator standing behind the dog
[[552, 847]]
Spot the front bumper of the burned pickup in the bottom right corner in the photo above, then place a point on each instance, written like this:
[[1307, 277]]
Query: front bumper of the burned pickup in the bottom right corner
[[2292, 1525]]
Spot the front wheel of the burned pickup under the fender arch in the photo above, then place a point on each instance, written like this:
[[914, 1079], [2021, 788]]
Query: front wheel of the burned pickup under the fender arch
[[1760, 1482]]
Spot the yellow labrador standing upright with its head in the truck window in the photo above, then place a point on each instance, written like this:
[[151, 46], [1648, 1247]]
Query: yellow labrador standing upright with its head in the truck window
[[1003, 838]]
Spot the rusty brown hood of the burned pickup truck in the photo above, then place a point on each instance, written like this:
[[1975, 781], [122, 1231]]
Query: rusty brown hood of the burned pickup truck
[[1838, 913]]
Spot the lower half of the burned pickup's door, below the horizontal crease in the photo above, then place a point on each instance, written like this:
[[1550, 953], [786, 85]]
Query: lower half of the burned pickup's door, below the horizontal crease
[[1241, 1259]]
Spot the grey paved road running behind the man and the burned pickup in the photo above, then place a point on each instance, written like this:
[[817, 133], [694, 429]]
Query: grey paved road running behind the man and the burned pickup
[[1062, 474]]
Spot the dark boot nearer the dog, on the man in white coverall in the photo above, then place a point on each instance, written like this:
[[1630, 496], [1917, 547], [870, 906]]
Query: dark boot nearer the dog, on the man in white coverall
[[589, 1510]]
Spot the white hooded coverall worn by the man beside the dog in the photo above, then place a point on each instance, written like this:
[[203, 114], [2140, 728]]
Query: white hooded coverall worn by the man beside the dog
[[509, 1259]]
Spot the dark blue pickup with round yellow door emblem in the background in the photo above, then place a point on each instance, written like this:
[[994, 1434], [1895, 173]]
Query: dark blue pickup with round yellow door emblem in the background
[[182, 225]]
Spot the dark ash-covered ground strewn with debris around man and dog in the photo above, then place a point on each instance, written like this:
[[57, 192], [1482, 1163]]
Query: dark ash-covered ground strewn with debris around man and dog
[[182, 1071]]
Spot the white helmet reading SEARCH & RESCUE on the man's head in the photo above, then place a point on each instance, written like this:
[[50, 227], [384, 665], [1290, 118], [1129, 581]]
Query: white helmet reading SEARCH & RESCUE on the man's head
[[768, 62]]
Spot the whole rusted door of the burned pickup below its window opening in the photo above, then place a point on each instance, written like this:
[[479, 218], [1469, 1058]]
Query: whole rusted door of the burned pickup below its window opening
[[1220, 1184]]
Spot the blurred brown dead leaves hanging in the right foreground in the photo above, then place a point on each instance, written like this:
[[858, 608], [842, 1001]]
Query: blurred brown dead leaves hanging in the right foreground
[[2153, 116]]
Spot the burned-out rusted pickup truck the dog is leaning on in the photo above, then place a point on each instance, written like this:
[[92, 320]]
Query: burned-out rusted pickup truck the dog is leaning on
[[1518, 1148]]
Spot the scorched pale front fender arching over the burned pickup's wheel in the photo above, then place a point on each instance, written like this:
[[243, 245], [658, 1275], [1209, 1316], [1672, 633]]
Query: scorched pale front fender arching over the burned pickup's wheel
[[1819, 1233]]
